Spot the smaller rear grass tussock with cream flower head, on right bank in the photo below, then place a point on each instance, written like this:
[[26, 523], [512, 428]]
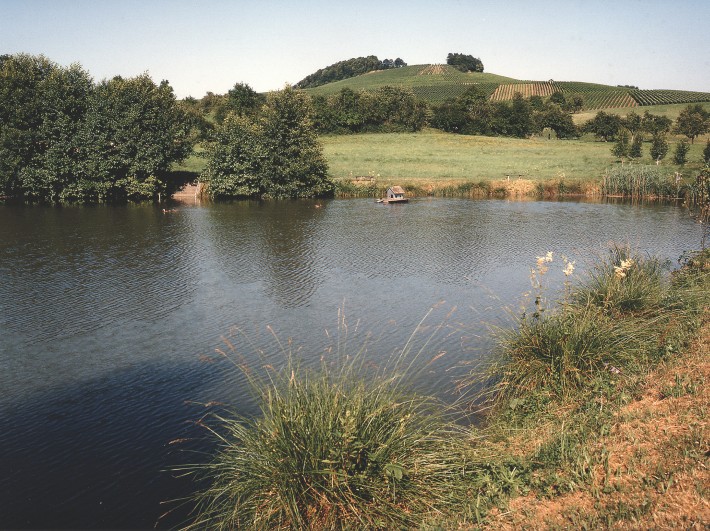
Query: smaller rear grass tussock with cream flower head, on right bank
[[623, 282]]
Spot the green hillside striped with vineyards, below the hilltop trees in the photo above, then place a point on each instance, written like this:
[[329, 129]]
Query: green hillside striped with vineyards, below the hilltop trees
[[437, 83]]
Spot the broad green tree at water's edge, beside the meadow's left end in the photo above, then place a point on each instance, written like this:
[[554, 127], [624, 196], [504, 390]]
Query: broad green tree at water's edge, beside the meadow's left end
[[276, 154]]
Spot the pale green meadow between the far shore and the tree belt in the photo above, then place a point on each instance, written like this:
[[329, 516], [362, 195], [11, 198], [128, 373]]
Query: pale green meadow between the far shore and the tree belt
[[436, 156]]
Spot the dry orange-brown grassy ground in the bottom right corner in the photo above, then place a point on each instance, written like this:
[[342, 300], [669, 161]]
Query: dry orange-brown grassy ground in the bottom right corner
[[654, 474]]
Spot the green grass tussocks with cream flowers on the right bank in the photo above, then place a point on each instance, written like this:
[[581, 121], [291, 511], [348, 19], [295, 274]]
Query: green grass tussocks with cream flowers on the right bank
[[560, 348]]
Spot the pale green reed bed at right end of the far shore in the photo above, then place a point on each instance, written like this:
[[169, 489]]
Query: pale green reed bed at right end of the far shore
[[637, 181]]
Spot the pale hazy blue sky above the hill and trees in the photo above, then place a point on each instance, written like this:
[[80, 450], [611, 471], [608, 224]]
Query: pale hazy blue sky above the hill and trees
[[210, 45]]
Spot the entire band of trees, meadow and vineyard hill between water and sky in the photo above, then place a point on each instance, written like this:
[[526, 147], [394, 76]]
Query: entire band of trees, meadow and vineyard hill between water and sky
[[65, 138]]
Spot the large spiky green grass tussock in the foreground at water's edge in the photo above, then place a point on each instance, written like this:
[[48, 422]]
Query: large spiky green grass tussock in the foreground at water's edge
[[333, 448]]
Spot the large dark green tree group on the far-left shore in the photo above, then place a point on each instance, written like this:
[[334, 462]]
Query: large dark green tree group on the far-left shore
[[64, 137]]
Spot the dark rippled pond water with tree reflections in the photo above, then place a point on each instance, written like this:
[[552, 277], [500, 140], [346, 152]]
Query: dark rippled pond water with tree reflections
[[110, 317]]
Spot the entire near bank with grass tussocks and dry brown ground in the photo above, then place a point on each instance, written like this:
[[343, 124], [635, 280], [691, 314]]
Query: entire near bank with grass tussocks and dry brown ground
[[596, 417]]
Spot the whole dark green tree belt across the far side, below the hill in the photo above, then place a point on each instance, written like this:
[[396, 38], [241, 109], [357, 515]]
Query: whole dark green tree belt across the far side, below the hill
[[64, 137]]
